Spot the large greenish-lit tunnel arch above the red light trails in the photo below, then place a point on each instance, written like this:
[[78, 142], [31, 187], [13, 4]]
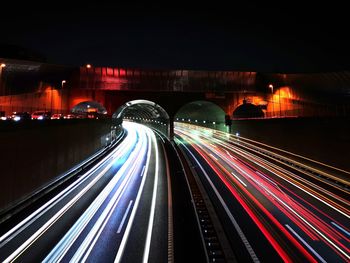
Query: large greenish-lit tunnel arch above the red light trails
[[200, 111]]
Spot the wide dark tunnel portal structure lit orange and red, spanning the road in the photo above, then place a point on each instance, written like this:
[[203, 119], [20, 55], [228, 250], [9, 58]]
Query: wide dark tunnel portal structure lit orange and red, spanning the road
[[29, 86]]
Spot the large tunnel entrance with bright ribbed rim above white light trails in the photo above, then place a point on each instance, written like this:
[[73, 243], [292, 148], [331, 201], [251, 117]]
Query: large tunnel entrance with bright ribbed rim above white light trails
[[144, 112]]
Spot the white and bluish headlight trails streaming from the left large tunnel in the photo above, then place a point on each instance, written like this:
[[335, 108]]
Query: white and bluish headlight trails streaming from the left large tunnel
[[135, 154]]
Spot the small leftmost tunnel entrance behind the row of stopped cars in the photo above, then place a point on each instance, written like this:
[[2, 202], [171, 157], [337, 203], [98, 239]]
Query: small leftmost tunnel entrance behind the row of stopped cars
[[89, 109]]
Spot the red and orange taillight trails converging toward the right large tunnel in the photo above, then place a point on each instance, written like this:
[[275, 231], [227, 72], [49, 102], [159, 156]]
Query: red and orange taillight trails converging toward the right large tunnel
[[278, 195]]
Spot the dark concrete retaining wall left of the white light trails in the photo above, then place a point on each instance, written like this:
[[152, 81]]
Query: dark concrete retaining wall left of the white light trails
[[33, 153]]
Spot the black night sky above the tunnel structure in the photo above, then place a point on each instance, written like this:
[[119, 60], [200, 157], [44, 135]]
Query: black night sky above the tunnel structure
[[290, 36]]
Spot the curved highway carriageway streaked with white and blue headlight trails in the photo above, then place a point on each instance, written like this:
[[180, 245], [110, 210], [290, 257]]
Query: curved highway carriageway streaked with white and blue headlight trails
[[117, 211]]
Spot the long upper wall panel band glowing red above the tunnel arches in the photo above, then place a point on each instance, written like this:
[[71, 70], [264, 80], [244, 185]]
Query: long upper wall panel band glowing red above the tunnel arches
[[165, 80]]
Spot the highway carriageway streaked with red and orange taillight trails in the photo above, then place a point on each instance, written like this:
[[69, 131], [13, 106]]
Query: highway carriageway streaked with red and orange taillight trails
[[273, 209]]
